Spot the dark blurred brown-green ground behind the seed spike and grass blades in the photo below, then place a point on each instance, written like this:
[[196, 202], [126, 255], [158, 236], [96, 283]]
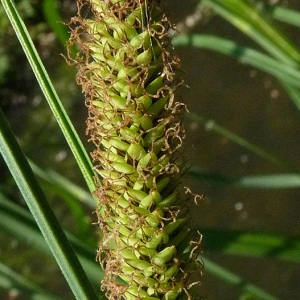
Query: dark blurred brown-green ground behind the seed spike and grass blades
[[221, 90]]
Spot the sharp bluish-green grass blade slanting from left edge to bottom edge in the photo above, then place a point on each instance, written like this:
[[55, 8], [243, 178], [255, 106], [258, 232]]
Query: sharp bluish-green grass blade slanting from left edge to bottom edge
[[43, 213]]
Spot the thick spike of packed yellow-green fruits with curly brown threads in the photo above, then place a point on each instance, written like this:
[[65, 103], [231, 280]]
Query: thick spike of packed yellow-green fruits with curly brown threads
[[128, 72]]
